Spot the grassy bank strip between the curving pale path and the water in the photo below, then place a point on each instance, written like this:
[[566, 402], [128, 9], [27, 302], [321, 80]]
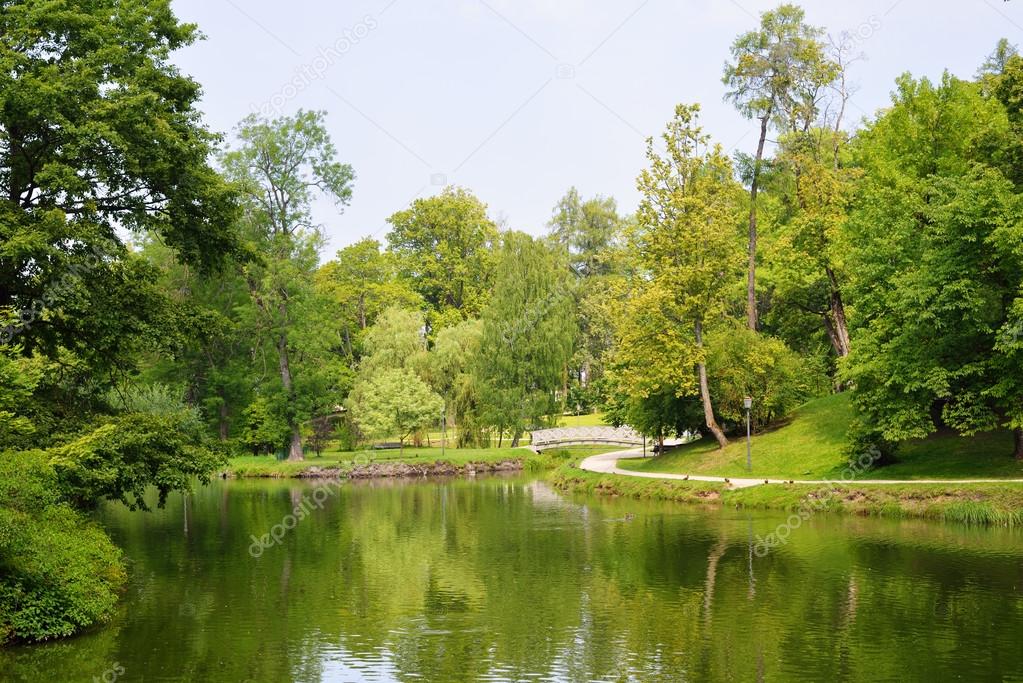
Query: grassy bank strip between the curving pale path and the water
[[1000, 505]]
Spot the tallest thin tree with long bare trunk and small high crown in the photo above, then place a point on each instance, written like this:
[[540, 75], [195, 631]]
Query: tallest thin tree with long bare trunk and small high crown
[[778, 75]]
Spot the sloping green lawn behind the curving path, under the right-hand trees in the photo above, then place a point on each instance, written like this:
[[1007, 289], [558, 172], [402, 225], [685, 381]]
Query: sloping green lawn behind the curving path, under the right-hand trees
[[811, 446]]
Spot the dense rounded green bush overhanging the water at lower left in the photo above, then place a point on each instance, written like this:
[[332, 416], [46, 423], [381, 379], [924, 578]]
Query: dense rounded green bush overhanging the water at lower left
[[60, 573]]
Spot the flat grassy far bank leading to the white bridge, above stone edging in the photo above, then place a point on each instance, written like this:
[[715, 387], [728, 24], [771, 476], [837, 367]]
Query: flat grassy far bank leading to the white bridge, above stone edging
[[343, 464]]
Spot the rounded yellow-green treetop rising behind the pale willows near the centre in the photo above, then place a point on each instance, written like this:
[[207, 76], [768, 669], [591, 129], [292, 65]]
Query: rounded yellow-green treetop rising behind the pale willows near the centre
[[444, 249]]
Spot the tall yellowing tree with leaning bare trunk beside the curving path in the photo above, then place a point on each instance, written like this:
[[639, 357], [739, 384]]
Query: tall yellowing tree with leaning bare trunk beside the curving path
[[689, 241]]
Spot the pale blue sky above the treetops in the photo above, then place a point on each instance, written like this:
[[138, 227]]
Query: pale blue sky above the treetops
[[520, 100]]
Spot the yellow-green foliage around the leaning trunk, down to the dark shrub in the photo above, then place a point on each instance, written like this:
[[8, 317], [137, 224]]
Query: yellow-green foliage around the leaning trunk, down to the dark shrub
[[689, 255]]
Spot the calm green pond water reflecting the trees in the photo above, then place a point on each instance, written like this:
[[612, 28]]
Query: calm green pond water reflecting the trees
[[507, 580]]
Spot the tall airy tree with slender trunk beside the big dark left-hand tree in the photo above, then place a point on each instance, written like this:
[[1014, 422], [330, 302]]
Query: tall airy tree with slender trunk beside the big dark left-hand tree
[[281, 166]]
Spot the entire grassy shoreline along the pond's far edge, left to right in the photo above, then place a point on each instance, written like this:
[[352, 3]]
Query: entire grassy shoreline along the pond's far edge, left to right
[[980, 503]]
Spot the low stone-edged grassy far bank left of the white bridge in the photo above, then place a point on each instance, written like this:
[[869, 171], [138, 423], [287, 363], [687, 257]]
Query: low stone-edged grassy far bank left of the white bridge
[[249, 466]]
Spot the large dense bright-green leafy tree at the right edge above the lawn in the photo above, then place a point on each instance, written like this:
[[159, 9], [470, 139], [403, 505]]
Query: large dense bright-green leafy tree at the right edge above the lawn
[[936, 248]]
